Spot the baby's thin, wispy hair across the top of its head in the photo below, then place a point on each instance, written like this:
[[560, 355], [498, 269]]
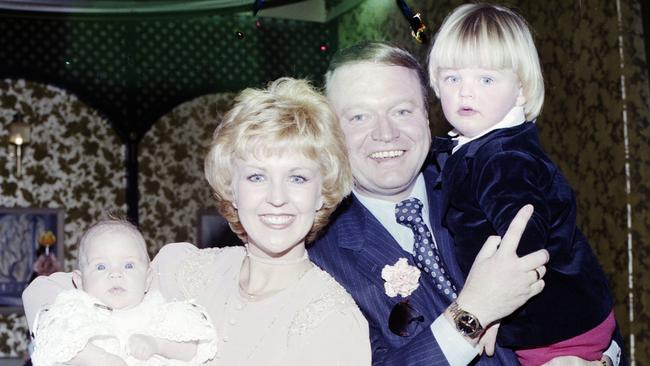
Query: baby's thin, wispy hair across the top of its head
[[113, 223]]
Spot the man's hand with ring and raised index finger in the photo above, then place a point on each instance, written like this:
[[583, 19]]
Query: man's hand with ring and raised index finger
[[499, 281]]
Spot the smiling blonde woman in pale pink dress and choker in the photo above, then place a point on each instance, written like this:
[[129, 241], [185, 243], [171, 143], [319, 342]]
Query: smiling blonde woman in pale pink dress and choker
[[278, 169]]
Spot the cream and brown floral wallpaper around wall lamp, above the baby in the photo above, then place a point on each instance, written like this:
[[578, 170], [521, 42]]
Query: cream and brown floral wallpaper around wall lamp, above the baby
[[74, 161]]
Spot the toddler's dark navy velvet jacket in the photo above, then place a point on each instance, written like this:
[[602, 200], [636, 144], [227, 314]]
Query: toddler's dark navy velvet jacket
[[484, 184]]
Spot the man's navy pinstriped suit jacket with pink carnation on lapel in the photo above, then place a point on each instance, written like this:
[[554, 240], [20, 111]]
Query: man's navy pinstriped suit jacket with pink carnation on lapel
[[356, 247]]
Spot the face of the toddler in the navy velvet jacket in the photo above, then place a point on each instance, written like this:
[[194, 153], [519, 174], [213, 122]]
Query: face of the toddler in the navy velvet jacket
[[475, 99]]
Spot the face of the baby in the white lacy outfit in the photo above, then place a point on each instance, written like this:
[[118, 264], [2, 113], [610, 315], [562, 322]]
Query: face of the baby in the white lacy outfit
[[116, 271]]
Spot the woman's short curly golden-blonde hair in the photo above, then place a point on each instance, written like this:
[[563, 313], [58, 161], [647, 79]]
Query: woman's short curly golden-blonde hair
[[288, 116]]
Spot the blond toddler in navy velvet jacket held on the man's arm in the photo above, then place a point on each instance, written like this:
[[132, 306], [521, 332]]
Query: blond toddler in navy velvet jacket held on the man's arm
[[485, 70]]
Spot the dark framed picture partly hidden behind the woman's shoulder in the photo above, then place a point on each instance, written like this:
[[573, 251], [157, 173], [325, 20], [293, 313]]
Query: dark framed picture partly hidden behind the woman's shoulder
[[213, 230]]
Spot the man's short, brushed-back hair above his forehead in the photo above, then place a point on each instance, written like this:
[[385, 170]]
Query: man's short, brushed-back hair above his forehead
[[382, 54]]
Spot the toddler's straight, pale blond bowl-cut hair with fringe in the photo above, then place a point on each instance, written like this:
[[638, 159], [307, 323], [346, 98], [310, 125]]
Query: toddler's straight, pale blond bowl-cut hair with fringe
[[494, 37]]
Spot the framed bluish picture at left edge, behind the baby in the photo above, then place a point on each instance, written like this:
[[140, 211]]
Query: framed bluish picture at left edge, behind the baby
[[31, 241]]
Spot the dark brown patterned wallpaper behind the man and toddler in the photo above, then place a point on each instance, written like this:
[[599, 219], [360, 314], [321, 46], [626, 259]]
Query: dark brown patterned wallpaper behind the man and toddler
[[582, 122]]
